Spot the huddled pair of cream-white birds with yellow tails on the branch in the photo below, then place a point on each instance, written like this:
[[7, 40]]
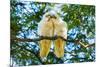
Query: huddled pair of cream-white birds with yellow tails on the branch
[[52, 25]]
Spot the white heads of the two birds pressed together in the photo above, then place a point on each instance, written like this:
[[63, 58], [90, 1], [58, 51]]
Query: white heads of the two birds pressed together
[[51, 15]]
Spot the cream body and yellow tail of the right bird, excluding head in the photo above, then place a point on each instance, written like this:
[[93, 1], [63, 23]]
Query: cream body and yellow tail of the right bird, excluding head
[[60, 30]]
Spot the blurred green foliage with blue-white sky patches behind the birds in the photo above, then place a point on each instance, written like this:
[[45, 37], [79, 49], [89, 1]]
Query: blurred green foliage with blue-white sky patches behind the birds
[[24, 18]]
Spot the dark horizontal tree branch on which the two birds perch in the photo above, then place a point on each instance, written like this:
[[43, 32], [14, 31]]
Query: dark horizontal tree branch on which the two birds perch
[[49, 38]]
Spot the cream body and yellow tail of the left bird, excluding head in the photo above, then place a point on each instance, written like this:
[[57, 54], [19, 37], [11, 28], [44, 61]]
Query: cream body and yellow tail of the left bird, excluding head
[[44, 29]]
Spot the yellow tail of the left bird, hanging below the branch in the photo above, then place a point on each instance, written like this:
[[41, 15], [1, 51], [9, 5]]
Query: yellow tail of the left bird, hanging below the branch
[[44, 48]]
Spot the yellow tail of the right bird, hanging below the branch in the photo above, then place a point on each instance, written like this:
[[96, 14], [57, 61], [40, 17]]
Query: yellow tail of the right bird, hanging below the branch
[[59, 47]]
